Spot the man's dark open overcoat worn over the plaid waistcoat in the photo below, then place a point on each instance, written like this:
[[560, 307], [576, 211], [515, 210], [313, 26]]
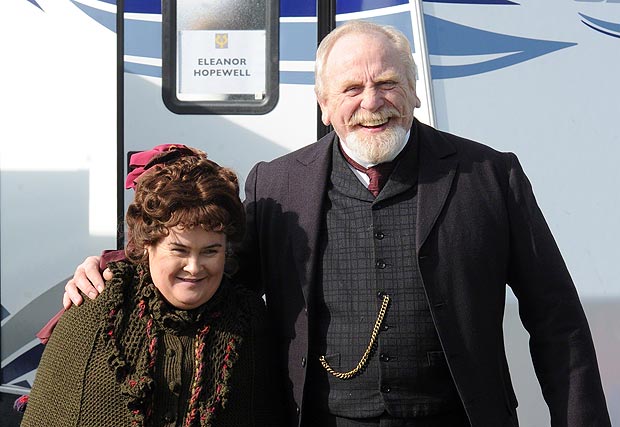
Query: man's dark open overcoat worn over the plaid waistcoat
[[478, 228]]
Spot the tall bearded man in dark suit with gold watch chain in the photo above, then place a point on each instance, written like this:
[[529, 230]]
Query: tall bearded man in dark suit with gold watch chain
[[387, 298]]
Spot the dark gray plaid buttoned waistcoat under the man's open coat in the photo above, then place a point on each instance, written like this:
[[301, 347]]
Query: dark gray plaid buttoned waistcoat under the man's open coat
[[368, 249]]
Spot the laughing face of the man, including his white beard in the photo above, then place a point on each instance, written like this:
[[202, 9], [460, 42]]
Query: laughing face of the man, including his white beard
[[366, 95]]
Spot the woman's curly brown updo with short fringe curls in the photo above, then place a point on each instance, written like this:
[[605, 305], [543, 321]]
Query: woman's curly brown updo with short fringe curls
[[190, 191]]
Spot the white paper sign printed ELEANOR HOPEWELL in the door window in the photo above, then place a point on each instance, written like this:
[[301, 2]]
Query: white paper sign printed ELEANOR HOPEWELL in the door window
[[219, 63]]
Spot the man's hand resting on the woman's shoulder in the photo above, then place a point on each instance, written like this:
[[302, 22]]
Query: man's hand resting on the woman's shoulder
[[88, 279]]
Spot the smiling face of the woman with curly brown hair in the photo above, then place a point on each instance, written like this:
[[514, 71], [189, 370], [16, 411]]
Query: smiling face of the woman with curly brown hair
[[187, 265]]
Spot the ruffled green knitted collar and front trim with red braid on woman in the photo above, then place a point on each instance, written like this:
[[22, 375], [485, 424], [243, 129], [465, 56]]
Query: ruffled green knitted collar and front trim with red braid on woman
[[135, 318]]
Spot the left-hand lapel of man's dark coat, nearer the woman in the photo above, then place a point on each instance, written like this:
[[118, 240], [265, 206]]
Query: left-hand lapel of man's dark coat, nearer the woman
[[307, 187]]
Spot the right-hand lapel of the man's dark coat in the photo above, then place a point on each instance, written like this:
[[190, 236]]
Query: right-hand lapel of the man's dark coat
[[437, 167]]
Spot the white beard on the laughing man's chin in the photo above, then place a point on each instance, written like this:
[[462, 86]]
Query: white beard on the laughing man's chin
[[380, 148]]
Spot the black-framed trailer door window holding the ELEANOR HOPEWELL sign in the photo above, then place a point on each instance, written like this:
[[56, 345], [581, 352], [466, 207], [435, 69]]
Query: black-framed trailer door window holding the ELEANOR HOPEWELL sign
[[220, 56]]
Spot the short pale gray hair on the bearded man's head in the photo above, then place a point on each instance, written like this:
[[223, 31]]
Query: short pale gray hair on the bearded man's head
[[401, 43]]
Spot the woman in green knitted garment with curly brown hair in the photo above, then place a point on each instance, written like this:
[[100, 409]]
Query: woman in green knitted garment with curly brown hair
[[170, 342]]
